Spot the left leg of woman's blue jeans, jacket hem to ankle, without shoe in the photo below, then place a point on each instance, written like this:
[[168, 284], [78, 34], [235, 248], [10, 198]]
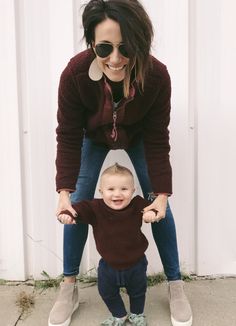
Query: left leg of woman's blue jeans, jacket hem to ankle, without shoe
[[75, 236]]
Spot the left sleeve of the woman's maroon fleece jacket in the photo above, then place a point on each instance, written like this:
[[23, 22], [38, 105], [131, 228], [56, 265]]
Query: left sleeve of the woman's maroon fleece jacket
[[69, 131]]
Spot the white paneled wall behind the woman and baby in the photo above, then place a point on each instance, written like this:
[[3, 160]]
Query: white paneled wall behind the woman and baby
[[195, 39]]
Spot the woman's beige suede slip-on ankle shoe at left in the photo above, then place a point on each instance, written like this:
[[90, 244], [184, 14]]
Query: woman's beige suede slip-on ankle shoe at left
[[67, 302]]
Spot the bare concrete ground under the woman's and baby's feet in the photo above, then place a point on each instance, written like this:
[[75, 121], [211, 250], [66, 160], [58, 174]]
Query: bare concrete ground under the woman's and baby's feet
[[213, 303]]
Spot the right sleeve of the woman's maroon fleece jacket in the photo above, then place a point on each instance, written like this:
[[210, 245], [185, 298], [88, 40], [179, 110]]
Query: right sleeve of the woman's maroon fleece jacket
[[156, 138]]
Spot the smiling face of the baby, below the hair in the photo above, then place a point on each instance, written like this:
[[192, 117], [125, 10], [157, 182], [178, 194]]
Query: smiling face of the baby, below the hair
[[117, 190]]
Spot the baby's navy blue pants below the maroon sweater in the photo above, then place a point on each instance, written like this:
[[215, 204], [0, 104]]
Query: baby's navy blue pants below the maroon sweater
[[133, 279]]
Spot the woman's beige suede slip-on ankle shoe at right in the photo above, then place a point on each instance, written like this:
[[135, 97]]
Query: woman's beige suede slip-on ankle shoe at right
[[181, 313]]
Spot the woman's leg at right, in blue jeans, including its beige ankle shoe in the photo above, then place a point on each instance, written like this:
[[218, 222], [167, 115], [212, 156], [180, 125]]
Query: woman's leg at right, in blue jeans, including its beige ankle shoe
[[165, 238]]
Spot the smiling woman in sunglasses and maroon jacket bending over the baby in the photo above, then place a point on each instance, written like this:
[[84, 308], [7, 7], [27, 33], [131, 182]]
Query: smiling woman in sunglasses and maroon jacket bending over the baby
[[115, 95]]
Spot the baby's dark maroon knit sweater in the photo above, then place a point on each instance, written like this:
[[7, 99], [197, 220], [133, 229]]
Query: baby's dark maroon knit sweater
[[117, 233]]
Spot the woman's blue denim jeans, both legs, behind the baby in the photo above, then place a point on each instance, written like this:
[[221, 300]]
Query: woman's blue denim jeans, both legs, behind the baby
[[75, 236]]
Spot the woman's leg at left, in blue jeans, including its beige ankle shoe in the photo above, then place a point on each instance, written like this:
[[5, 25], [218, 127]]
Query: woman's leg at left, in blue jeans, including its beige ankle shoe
[[75, 236]]
